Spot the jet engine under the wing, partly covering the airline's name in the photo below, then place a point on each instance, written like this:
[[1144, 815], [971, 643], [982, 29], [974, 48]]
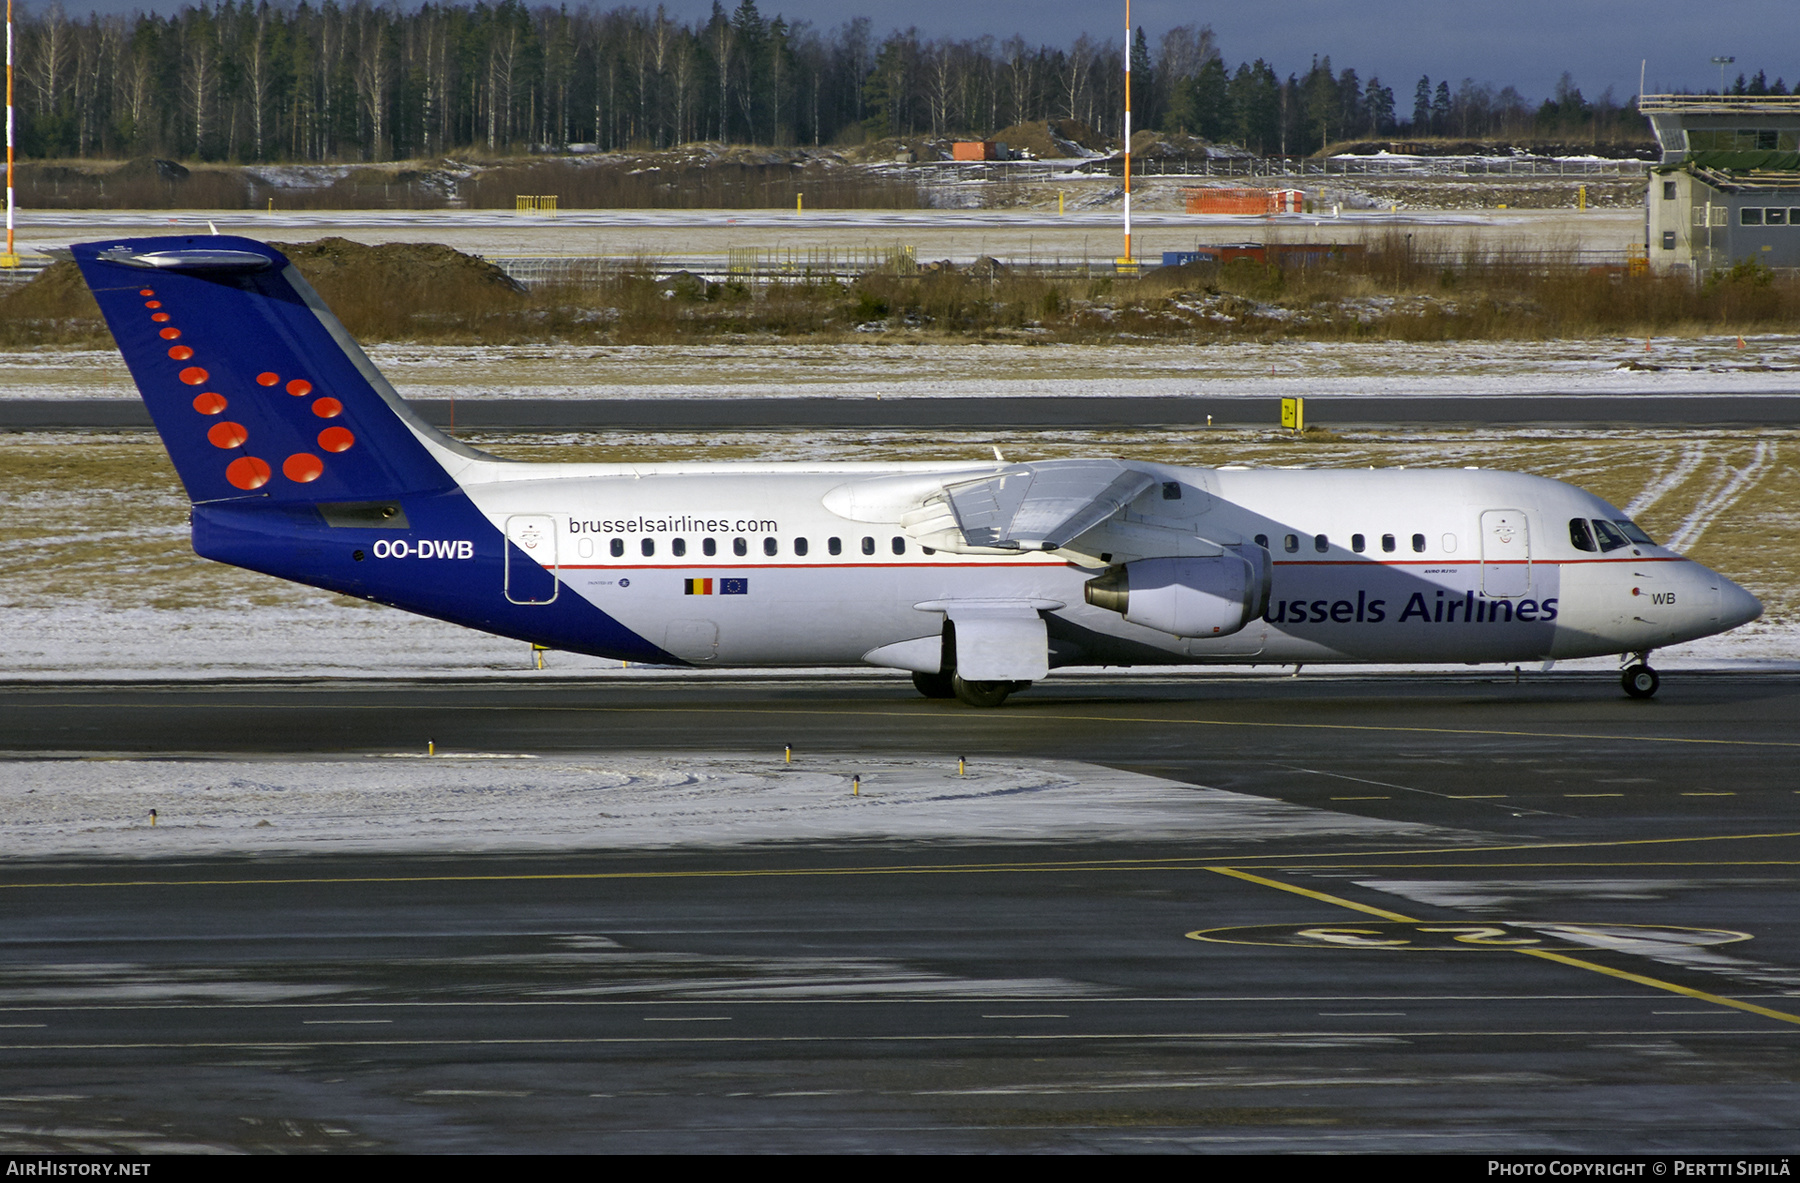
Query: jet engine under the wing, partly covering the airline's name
[[1187, 597]]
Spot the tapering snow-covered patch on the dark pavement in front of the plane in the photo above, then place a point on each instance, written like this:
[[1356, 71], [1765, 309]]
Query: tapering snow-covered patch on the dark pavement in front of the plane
[[408, 802]]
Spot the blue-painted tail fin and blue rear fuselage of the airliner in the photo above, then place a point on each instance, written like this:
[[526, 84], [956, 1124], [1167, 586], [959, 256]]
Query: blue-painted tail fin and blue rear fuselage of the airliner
[[267, 419]]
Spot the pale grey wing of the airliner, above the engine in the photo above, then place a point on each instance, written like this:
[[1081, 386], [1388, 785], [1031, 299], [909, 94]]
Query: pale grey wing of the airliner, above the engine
[[1043, 505]]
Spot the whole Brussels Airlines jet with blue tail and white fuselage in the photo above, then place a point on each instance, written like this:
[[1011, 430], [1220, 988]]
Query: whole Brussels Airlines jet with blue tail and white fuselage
[[978, 577]]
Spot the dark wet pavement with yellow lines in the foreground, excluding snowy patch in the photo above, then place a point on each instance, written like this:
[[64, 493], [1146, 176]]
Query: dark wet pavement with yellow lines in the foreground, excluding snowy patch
[[1594, 944]]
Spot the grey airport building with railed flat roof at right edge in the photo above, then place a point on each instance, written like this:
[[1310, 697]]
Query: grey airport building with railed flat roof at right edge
[[1729, 185]]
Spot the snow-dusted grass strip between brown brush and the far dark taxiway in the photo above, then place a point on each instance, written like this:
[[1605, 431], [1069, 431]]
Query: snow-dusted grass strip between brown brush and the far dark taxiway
[[1243, 370]]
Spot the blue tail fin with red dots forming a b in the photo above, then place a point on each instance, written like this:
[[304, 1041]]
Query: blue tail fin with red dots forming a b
[[255, 386]]
